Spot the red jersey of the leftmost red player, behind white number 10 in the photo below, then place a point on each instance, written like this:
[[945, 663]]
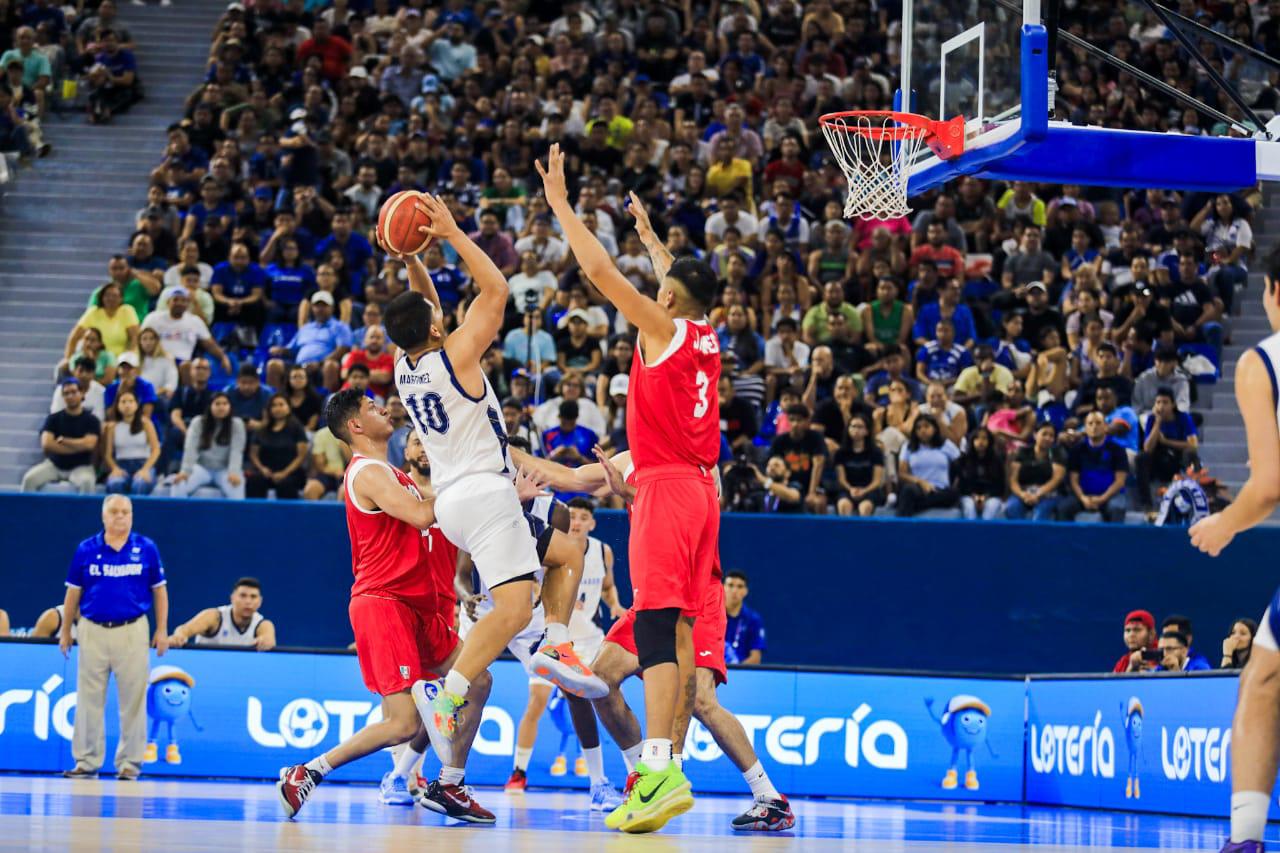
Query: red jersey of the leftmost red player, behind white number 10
[[390, 558]]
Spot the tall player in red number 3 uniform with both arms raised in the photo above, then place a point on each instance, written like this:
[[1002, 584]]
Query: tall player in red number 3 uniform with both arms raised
[[674, 431]]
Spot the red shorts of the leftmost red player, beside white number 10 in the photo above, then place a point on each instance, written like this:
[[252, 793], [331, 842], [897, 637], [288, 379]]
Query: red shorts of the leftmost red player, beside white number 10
[[399, 644]]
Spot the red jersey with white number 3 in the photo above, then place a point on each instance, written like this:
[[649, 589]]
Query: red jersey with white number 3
[[673, 404]]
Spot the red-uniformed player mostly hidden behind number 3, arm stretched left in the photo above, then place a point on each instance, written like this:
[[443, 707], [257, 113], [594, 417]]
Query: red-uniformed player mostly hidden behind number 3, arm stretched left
[[618, 660]]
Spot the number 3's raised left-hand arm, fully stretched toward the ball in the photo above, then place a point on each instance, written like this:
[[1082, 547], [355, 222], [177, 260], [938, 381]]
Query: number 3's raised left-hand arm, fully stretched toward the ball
[[655, 323]]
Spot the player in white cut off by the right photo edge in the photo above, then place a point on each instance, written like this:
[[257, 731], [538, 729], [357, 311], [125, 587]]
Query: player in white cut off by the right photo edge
[[1256, 728]]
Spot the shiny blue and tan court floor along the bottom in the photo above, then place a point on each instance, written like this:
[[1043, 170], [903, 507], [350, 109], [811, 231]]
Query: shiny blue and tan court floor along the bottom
[[43, 813]]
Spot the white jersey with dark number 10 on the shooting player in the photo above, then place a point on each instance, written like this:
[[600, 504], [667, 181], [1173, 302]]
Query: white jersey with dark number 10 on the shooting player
[[463, 435]]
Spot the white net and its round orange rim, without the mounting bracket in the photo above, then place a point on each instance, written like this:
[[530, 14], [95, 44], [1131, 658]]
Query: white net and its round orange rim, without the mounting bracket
[[876, 165]]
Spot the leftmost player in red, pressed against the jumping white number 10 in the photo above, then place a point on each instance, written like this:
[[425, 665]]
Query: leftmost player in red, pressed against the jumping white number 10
[[404, 631]]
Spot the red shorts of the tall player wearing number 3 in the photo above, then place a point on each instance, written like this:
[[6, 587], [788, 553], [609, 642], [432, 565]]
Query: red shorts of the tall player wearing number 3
[[675, 539]]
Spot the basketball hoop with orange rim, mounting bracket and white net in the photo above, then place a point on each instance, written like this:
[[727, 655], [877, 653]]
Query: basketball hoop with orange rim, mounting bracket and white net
[[876, 150]]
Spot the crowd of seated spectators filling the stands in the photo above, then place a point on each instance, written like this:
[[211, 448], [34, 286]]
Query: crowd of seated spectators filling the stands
[[1008, 352]]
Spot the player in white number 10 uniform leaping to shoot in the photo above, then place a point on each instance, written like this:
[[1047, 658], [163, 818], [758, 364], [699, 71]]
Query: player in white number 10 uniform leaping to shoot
[[459, 418]]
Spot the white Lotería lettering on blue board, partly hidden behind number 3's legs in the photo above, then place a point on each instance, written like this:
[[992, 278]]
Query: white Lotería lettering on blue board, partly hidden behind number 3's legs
[[797, 742]]
